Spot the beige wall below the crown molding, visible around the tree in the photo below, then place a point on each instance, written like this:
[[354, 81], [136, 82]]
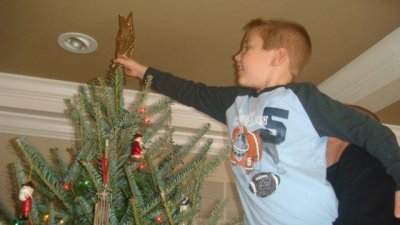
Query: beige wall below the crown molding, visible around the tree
[[217, 186]]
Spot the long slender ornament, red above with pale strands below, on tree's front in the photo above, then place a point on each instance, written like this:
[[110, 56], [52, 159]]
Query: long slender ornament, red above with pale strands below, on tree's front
[[102, 207]]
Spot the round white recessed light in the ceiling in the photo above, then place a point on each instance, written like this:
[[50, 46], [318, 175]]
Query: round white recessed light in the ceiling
[[77, 42]]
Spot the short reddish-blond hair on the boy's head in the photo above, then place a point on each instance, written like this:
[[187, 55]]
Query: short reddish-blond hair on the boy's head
[[278, 33]]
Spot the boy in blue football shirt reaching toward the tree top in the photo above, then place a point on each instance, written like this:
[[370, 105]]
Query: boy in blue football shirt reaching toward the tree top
[[278, 128]]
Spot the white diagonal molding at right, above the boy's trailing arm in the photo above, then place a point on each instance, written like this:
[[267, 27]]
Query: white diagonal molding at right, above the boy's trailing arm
[[372, 75]]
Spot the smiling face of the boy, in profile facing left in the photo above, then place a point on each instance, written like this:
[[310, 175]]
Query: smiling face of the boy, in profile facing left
[[253, 62]]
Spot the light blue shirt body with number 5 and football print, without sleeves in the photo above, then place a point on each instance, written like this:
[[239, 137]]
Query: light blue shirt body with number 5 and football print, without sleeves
[[285, 182]]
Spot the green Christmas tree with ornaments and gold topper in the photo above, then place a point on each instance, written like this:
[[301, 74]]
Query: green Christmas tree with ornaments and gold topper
[[125, 167]]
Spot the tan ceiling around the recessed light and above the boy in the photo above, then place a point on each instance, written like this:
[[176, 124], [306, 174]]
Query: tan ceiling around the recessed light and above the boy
[[195, 39]]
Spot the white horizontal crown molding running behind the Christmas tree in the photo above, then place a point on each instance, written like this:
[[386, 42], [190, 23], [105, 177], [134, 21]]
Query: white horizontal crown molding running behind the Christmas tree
[[35, 107]]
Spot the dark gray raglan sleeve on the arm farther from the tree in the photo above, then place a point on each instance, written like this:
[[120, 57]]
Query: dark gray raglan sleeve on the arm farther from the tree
[[332, 118]]
